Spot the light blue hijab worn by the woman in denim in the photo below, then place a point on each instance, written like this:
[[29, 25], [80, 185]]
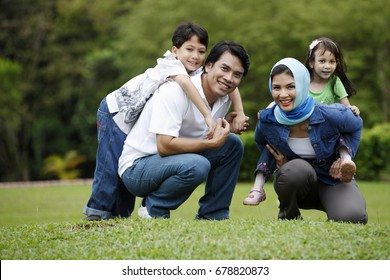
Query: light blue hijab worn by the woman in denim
[[304, 103]]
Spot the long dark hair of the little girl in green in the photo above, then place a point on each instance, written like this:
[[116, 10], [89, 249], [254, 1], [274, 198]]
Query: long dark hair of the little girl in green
[[326, 44]]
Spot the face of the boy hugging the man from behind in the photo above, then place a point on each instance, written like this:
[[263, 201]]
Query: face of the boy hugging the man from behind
[[192, 54]]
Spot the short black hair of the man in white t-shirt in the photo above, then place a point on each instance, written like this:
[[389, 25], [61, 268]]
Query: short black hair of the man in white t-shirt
[[233, 48]]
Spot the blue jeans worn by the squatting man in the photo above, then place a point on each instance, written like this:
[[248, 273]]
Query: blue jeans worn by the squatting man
[[167, 182]]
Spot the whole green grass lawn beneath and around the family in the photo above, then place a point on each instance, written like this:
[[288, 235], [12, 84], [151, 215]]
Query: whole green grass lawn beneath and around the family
[[46, 223]]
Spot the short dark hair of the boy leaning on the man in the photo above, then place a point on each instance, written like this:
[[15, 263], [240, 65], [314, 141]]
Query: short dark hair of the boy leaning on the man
[[186, 30]]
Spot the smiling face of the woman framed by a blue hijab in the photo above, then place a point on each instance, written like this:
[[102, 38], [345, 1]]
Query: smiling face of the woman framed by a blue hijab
[[283, 91]]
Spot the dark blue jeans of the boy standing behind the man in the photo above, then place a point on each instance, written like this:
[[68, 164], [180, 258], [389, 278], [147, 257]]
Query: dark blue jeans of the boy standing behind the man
[[109, 196]]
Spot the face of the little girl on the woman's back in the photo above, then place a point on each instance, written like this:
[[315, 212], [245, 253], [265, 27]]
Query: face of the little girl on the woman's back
[[323, 65]]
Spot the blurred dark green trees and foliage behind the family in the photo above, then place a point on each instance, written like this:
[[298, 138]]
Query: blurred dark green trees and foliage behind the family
[[59, 58]]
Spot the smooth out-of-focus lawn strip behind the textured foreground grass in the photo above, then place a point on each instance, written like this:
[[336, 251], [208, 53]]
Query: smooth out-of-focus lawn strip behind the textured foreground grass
[[65, 204]]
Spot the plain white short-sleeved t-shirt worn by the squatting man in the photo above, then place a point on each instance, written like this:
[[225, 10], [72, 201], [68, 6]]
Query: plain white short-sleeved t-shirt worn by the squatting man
[[170, 112]]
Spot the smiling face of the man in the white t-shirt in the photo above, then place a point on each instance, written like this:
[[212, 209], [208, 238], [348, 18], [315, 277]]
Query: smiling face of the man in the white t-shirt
[[223, 76]]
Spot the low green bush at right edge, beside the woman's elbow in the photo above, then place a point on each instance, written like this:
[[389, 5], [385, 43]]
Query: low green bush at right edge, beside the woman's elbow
[[372, 158]]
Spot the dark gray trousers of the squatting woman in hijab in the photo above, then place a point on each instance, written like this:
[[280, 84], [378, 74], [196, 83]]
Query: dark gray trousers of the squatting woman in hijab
[[297, 188]]
